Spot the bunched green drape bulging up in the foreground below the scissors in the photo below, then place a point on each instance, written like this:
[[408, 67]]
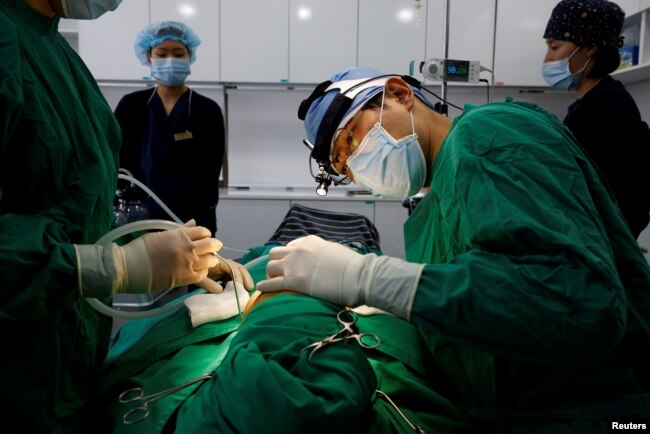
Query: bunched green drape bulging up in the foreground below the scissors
[[268, 384]]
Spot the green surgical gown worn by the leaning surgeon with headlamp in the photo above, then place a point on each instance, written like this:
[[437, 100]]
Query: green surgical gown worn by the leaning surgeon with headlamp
[[535, 301]]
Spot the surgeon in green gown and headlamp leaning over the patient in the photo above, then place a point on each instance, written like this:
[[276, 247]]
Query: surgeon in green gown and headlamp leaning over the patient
[[521, 269]]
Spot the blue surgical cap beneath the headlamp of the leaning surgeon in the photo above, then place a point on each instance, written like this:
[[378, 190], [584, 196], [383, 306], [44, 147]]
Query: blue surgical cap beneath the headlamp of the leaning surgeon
[[340, 83]]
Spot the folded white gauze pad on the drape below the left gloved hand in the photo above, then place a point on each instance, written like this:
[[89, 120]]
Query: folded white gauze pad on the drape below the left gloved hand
[[205, 308]]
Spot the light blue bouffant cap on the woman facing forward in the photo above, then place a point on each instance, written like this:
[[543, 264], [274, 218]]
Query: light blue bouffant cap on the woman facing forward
[[157, 33]]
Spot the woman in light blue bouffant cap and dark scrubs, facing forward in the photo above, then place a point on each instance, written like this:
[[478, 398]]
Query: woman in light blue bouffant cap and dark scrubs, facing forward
[[173, 138]]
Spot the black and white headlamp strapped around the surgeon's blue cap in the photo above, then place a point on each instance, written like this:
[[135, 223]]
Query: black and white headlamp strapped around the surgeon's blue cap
[[321, 149]]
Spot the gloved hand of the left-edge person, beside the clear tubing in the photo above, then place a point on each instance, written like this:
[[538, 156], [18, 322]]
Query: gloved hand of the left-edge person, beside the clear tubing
[[158, 260]]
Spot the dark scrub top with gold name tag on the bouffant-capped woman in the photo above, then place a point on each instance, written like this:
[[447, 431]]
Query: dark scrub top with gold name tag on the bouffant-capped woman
[[178, 156]]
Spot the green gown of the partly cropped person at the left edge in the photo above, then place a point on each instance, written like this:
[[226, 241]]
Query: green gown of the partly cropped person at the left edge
[[58, 168]]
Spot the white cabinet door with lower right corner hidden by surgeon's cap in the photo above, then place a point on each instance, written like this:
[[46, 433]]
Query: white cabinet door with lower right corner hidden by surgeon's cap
[[323, 38]]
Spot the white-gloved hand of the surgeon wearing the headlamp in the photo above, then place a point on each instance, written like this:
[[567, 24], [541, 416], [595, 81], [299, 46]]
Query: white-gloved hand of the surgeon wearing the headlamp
[[338, 274]]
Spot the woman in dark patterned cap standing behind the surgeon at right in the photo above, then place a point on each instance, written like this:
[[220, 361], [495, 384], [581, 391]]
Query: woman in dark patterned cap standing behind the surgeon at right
[[583, 37]]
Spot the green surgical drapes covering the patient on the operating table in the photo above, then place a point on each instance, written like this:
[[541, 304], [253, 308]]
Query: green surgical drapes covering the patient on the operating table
[[266, 383]]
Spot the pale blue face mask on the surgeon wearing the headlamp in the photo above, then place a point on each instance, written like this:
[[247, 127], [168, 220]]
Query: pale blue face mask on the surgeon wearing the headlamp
[[388, 167]]
